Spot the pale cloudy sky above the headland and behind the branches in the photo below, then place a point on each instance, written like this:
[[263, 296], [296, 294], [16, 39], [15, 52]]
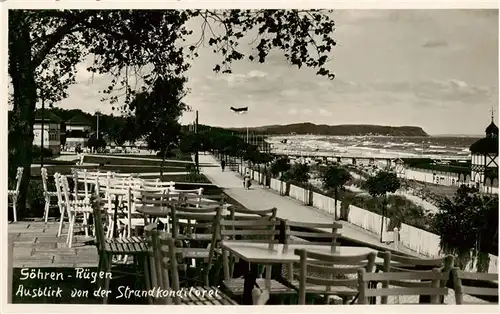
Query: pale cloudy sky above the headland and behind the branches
[[437, 69]]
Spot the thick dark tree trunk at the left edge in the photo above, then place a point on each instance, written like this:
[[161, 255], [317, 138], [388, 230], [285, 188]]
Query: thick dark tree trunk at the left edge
[[21, 70]]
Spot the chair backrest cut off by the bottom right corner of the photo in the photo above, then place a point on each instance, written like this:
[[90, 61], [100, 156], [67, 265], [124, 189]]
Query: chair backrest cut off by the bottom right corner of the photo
[[461, 289]]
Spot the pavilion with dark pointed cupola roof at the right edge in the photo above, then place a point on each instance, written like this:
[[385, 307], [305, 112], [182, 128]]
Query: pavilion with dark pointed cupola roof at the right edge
[[484, 158]]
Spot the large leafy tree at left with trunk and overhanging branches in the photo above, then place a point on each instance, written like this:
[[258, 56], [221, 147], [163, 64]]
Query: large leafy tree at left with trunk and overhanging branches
[[139, 48]]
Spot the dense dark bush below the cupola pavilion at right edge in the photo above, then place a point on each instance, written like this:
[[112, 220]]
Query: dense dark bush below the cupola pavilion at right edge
[[468, 226]]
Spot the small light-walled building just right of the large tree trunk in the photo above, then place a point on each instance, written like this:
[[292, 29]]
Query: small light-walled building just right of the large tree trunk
[[51, 131]]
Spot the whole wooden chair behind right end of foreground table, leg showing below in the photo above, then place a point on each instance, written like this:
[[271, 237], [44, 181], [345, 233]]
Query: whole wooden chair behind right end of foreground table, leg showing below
[[294, 236]]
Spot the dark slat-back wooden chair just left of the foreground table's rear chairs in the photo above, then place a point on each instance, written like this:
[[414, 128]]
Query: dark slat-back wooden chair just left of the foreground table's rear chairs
[[198, 229]]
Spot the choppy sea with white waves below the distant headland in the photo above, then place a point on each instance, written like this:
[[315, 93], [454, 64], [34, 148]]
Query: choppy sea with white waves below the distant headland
[[437, 147]]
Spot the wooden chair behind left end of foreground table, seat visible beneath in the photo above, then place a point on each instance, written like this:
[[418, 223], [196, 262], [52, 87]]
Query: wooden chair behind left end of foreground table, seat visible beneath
[[262, 230]]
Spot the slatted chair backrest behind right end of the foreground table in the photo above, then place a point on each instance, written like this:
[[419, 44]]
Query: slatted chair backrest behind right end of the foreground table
[[291, 235]]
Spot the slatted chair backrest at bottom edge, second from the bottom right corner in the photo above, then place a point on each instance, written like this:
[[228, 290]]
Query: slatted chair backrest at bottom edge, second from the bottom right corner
[[429, 284]]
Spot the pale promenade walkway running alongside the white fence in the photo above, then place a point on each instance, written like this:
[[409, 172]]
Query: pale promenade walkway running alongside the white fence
[[262, 198]]
